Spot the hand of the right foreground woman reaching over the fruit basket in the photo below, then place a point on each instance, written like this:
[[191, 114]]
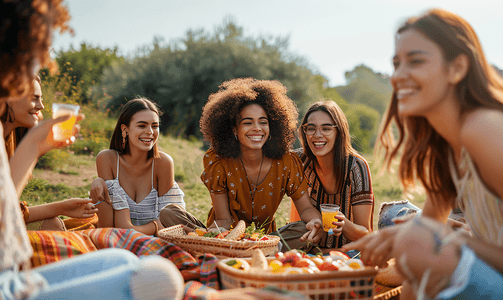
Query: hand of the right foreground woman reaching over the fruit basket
[[375, 247]]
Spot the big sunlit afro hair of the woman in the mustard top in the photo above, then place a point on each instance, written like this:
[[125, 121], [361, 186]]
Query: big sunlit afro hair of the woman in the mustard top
[[221, 112]]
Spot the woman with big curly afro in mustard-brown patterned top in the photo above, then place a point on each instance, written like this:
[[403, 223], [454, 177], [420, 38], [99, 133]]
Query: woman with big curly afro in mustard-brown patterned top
[[251, 125]]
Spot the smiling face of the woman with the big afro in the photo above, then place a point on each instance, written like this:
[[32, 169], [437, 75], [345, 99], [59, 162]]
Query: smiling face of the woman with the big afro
[[252, 127]]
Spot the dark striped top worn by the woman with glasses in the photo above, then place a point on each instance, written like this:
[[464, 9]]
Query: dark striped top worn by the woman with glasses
[[357, 190]]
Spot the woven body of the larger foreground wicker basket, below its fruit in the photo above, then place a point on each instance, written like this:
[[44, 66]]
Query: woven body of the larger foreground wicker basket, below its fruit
[[355, 284]]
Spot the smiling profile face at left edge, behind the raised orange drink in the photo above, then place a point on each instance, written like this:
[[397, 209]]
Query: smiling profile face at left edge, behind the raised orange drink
[[27, 109]]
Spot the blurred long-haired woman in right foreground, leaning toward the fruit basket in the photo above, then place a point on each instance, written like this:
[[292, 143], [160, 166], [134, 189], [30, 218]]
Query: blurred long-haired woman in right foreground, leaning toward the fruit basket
[[448, 107]]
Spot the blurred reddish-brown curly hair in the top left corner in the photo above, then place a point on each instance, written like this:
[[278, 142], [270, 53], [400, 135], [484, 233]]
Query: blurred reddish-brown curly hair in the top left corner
[[25, 31]]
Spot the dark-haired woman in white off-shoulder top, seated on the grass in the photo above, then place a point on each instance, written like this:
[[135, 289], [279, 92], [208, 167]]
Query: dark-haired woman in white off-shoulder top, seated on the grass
[[135, 180]]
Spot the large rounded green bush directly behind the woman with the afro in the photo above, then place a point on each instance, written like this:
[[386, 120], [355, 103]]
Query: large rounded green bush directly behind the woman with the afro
[[180, 76]]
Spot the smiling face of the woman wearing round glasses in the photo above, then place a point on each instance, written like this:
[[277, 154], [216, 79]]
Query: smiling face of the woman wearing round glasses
[[320, 144]]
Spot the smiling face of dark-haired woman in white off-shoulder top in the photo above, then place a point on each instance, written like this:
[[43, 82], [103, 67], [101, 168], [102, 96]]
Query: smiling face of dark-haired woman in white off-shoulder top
[[143, 130]]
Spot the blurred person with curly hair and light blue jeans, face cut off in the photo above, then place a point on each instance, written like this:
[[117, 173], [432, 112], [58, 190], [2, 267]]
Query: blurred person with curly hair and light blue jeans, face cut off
[[26, 33]]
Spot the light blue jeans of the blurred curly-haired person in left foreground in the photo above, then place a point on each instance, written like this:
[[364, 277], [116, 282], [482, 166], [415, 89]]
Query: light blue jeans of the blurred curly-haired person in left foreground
[[103, 274]]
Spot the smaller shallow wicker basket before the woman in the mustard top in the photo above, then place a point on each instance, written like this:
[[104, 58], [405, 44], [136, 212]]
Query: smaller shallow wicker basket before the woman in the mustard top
[[221, 248]]
